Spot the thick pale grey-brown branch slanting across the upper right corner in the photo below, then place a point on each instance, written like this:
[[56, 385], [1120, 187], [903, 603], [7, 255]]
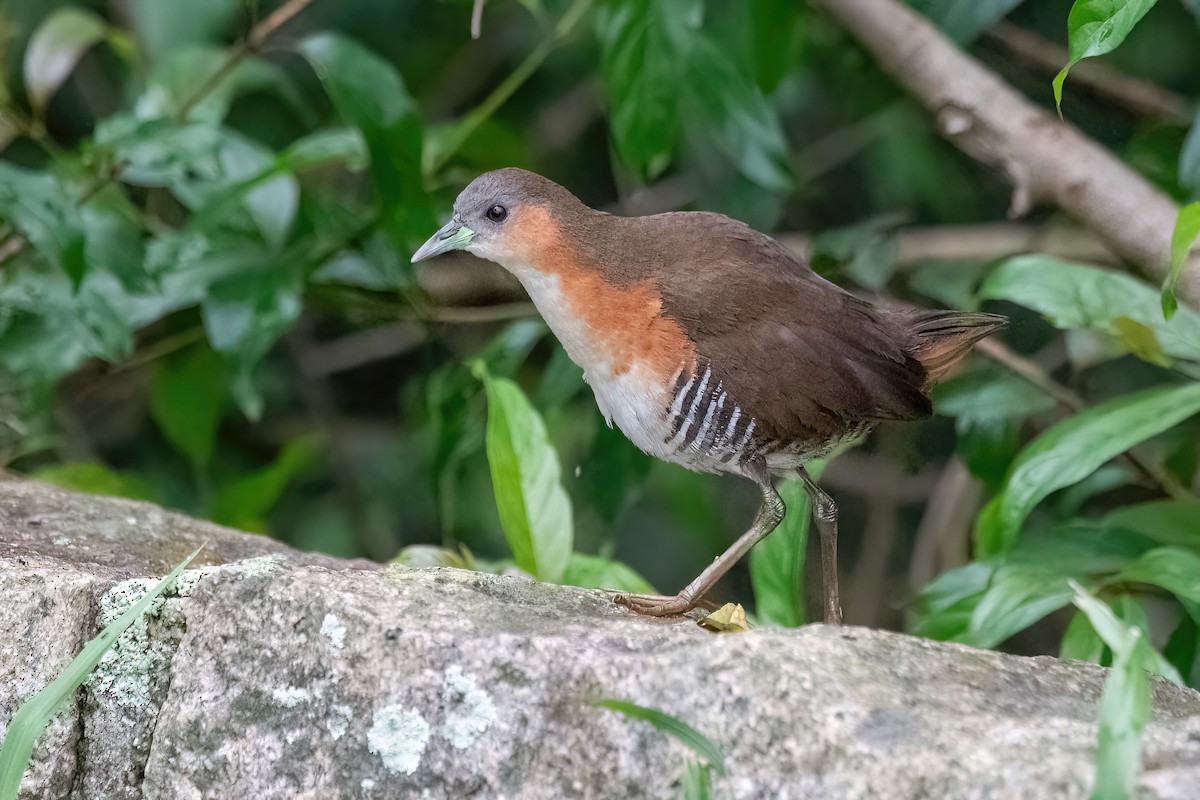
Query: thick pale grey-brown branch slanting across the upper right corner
[[1043, 159]]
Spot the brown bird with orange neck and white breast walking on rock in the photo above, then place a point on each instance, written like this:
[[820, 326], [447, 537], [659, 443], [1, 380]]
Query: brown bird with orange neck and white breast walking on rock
[[711, 345]]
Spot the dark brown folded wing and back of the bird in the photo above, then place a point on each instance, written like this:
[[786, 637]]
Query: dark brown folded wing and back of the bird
[[807, 359]]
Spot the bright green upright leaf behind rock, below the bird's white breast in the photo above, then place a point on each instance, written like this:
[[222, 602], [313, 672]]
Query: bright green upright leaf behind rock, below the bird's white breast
[[536, 512]]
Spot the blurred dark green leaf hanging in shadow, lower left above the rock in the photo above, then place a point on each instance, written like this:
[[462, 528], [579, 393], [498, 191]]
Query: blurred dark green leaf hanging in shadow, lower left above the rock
[[185, 402]]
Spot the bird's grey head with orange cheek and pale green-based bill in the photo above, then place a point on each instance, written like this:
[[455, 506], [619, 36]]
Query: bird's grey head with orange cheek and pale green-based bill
[[493, 216]]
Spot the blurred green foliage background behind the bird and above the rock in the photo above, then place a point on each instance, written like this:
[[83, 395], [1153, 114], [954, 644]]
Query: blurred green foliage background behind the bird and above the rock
[[206, 298]]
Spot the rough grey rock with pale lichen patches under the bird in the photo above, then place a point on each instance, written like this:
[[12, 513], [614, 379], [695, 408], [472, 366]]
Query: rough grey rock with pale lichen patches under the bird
[[275, 675]]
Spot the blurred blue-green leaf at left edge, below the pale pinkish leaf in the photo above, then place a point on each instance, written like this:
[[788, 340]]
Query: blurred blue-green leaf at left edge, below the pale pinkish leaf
[[43, 209]]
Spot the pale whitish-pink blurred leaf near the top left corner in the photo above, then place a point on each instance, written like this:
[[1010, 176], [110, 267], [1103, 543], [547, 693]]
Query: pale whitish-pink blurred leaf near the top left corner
[[56, 49]]
